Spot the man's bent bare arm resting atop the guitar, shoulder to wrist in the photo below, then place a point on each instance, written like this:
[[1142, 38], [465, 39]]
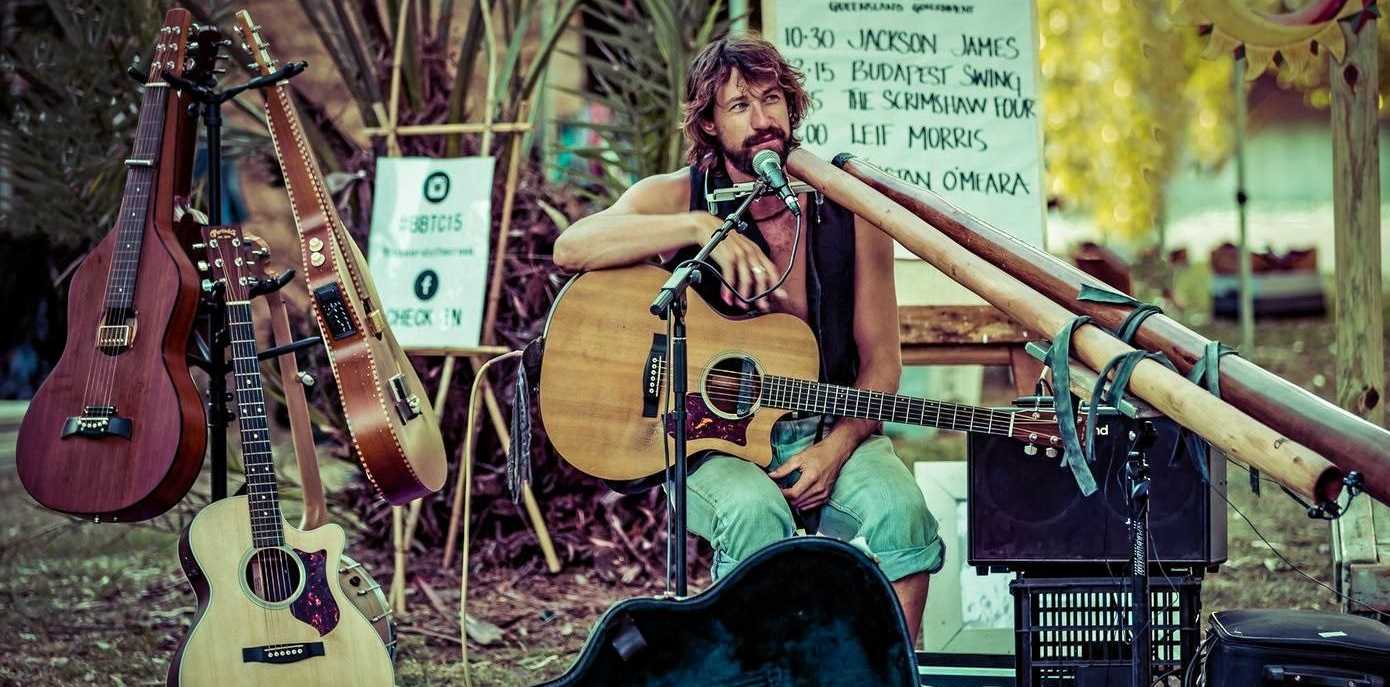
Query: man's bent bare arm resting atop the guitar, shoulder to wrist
[[650, 219]]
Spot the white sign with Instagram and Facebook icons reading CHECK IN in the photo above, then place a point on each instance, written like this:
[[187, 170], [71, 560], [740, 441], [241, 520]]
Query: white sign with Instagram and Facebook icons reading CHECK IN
[[432, 225]]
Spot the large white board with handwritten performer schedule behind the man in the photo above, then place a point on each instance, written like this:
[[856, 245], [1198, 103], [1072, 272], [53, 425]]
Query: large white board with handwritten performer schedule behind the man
[[940, 94]]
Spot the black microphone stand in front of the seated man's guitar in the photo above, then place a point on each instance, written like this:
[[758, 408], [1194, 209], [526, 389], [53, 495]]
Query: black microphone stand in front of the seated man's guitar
[[671, 305]]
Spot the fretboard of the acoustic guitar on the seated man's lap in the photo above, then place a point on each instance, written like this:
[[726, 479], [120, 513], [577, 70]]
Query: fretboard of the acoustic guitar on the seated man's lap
[[792, 394]]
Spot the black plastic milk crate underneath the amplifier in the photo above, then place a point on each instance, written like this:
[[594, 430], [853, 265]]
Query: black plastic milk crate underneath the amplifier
[[1075, 632]]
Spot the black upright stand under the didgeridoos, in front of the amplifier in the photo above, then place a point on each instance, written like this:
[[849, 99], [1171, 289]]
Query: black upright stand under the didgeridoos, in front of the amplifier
[[1138, 489]]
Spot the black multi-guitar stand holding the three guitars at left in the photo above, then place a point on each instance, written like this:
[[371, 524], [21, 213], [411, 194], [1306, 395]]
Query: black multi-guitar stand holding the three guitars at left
[[212, 347]]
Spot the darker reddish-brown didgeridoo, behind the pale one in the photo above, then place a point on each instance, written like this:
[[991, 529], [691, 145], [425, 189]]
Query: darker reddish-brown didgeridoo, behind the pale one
[[1352, 443]]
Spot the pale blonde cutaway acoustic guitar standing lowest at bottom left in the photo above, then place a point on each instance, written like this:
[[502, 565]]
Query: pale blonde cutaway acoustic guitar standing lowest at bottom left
[[270, 603]]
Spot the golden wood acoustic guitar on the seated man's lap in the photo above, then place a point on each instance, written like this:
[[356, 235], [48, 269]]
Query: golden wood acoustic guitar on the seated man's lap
[[604, 383]]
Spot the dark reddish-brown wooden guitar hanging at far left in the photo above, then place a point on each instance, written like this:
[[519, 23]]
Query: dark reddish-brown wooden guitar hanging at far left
[[117, 430]]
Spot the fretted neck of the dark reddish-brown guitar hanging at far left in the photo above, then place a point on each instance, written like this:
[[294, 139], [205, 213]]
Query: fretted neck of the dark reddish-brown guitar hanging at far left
[[141, 179]]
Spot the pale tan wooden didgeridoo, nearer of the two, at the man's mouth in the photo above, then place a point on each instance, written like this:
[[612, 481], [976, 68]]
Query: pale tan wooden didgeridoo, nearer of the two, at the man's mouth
[[1218, 422]]
